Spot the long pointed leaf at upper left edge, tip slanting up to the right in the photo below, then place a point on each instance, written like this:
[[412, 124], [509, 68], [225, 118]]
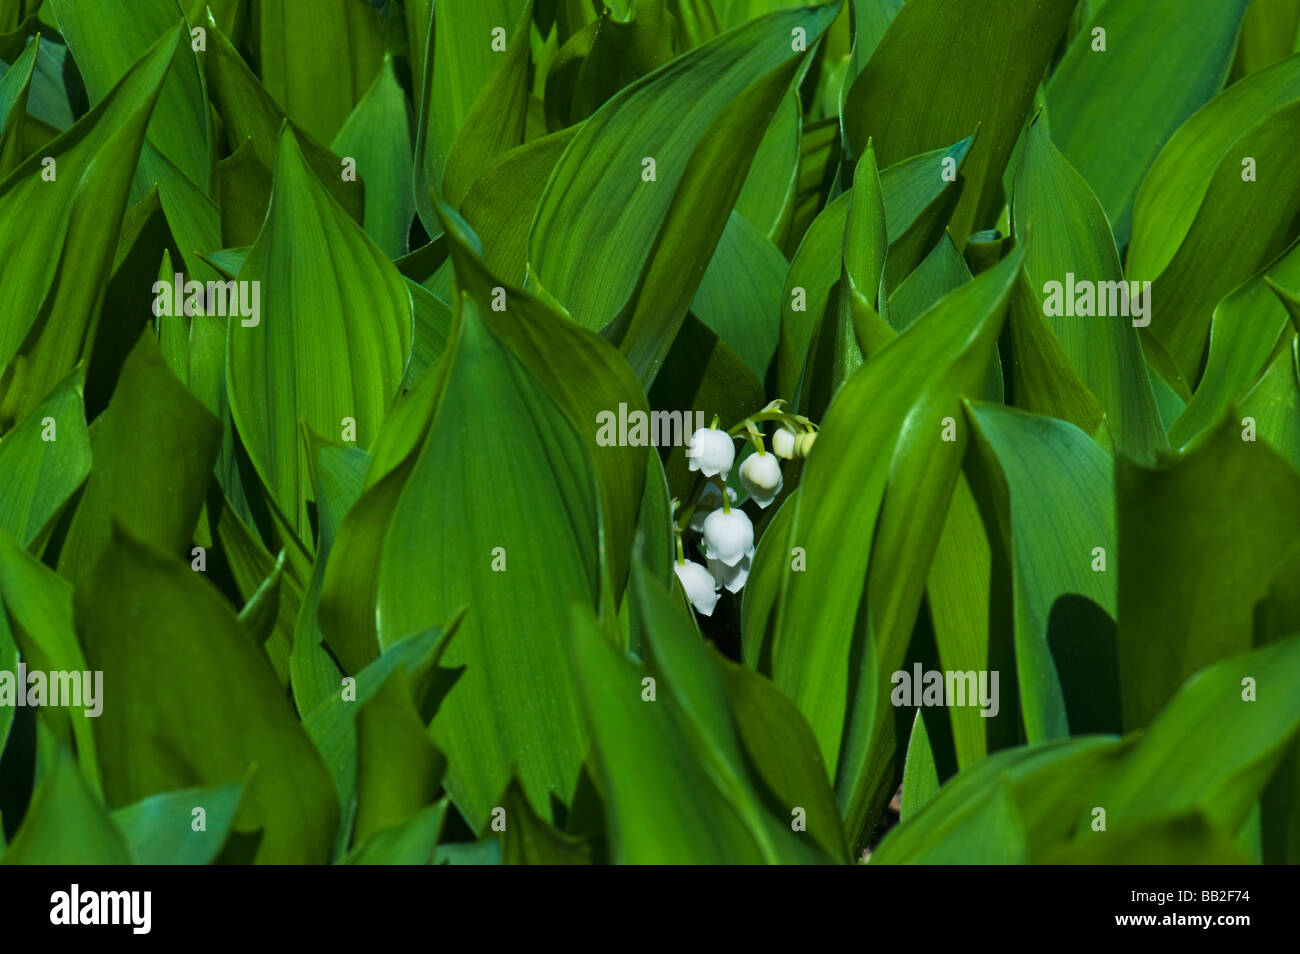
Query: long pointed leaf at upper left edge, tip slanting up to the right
[[58, 238]]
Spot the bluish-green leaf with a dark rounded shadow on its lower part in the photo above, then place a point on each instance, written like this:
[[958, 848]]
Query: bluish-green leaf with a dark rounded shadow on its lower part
[[1052, 492]]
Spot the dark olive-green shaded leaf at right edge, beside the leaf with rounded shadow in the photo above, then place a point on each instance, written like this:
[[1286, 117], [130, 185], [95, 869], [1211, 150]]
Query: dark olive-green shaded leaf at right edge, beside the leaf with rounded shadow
[[1247, 505]]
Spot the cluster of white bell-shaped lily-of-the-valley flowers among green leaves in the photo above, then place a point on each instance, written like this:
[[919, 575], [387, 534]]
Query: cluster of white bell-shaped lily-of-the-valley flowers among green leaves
[[727, 532]]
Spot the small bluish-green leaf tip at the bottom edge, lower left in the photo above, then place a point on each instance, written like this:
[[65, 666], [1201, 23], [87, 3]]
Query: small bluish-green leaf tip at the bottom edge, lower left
[[167, 829]]
